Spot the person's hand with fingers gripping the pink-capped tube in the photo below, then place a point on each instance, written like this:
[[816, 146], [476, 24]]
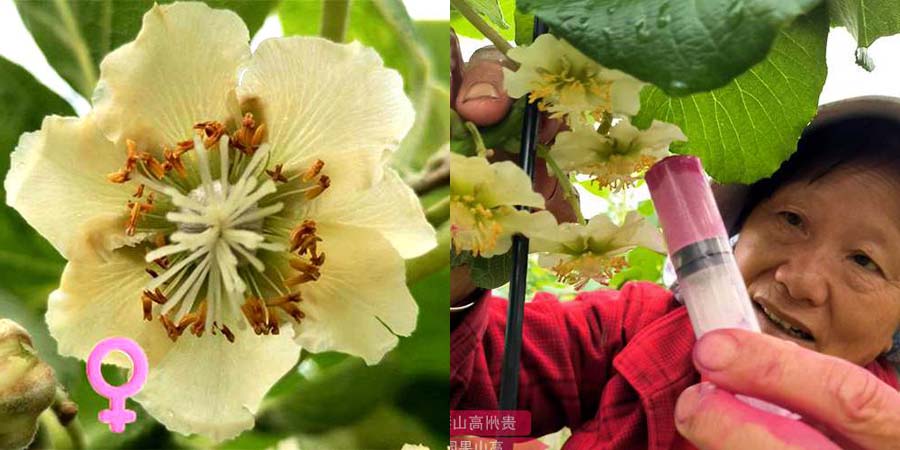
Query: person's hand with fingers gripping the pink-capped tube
[[843, 405]]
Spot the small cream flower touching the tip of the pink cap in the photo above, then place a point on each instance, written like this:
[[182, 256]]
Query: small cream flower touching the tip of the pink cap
[[616, 159]]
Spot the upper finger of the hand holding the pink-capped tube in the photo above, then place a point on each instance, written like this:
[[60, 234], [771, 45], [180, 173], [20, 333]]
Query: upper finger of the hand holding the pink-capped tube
[[856, 408]]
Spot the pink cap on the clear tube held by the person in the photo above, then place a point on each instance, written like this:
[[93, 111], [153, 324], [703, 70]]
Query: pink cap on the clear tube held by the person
[[684, 202]]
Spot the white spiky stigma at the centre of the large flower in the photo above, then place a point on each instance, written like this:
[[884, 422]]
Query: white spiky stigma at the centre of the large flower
[[219, 227]]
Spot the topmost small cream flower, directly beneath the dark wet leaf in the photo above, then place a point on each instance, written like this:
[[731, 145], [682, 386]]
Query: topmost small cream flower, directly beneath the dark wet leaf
[[566, 83]]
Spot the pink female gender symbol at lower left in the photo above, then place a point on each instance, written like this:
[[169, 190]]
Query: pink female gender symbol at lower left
[[117, 415]]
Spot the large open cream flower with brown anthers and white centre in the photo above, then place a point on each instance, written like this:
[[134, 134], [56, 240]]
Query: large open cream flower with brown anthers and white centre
[[226, 210]]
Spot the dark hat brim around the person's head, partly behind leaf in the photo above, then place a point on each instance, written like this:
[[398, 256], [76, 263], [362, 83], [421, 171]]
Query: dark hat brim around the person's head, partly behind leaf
[[732, 198]]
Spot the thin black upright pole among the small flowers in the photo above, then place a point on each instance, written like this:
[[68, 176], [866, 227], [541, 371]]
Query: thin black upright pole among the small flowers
[[509, 381]]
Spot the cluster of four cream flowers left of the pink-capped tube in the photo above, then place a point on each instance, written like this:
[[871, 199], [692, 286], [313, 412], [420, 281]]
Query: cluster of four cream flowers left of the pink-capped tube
[[596, 104]]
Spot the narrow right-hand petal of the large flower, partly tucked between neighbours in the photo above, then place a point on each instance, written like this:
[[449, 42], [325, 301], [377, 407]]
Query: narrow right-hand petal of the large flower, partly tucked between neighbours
[[390, 207]]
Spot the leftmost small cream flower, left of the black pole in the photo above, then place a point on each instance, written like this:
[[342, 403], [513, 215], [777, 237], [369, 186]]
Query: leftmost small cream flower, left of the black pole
[[483, 200]]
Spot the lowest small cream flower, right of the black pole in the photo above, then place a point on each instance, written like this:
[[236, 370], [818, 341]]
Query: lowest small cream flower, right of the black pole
[[595, 251]]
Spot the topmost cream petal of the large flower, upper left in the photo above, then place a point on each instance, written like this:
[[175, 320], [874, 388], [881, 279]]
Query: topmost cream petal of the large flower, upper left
[[181, 69]]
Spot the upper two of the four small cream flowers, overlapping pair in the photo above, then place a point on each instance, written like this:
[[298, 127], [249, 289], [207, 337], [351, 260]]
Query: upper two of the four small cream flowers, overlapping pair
[[596, 103]]
